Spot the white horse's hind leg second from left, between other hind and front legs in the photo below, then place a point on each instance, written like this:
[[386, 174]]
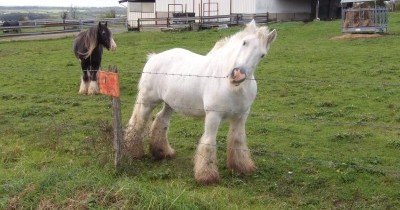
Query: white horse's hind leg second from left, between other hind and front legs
[[159, 145]]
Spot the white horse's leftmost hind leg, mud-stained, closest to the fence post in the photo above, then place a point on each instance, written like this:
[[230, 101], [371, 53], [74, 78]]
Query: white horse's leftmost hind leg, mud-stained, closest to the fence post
[[134, 131]]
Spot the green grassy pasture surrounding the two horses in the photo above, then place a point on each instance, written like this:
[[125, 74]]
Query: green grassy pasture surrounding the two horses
[[324, 130]]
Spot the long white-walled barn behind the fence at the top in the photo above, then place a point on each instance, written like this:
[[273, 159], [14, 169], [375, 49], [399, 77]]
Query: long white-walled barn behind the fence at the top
[[277, 10]]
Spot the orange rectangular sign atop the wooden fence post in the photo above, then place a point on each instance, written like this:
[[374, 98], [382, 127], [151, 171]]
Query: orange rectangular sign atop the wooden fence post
[[108, 82]]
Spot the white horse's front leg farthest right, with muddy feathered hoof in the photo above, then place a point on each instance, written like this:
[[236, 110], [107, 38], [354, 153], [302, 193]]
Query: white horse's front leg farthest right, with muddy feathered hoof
[[239, 158]]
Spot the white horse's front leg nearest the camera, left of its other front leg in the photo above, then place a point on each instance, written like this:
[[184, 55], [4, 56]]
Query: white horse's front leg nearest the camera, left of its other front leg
[[205, 160]]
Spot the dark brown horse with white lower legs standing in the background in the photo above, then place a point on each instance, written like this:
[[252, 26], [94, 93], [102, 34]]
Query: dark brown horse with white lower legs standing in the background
[[88, 48]]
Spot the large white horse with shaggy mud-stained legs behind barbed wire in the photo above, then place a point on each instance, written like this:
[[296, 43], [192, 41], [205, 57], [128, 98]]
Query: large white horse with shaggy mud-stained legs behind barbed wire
[[219, 85]]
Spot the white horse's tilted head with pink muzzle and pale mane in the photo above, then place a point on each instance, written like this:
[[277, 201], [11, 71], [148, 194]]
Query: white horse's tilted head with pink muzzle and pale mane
[[244, 50]]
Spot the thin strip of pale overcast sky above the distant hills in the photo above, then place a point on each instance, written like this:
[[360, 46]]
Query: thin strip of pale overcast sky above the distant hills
[[61, 3]]
